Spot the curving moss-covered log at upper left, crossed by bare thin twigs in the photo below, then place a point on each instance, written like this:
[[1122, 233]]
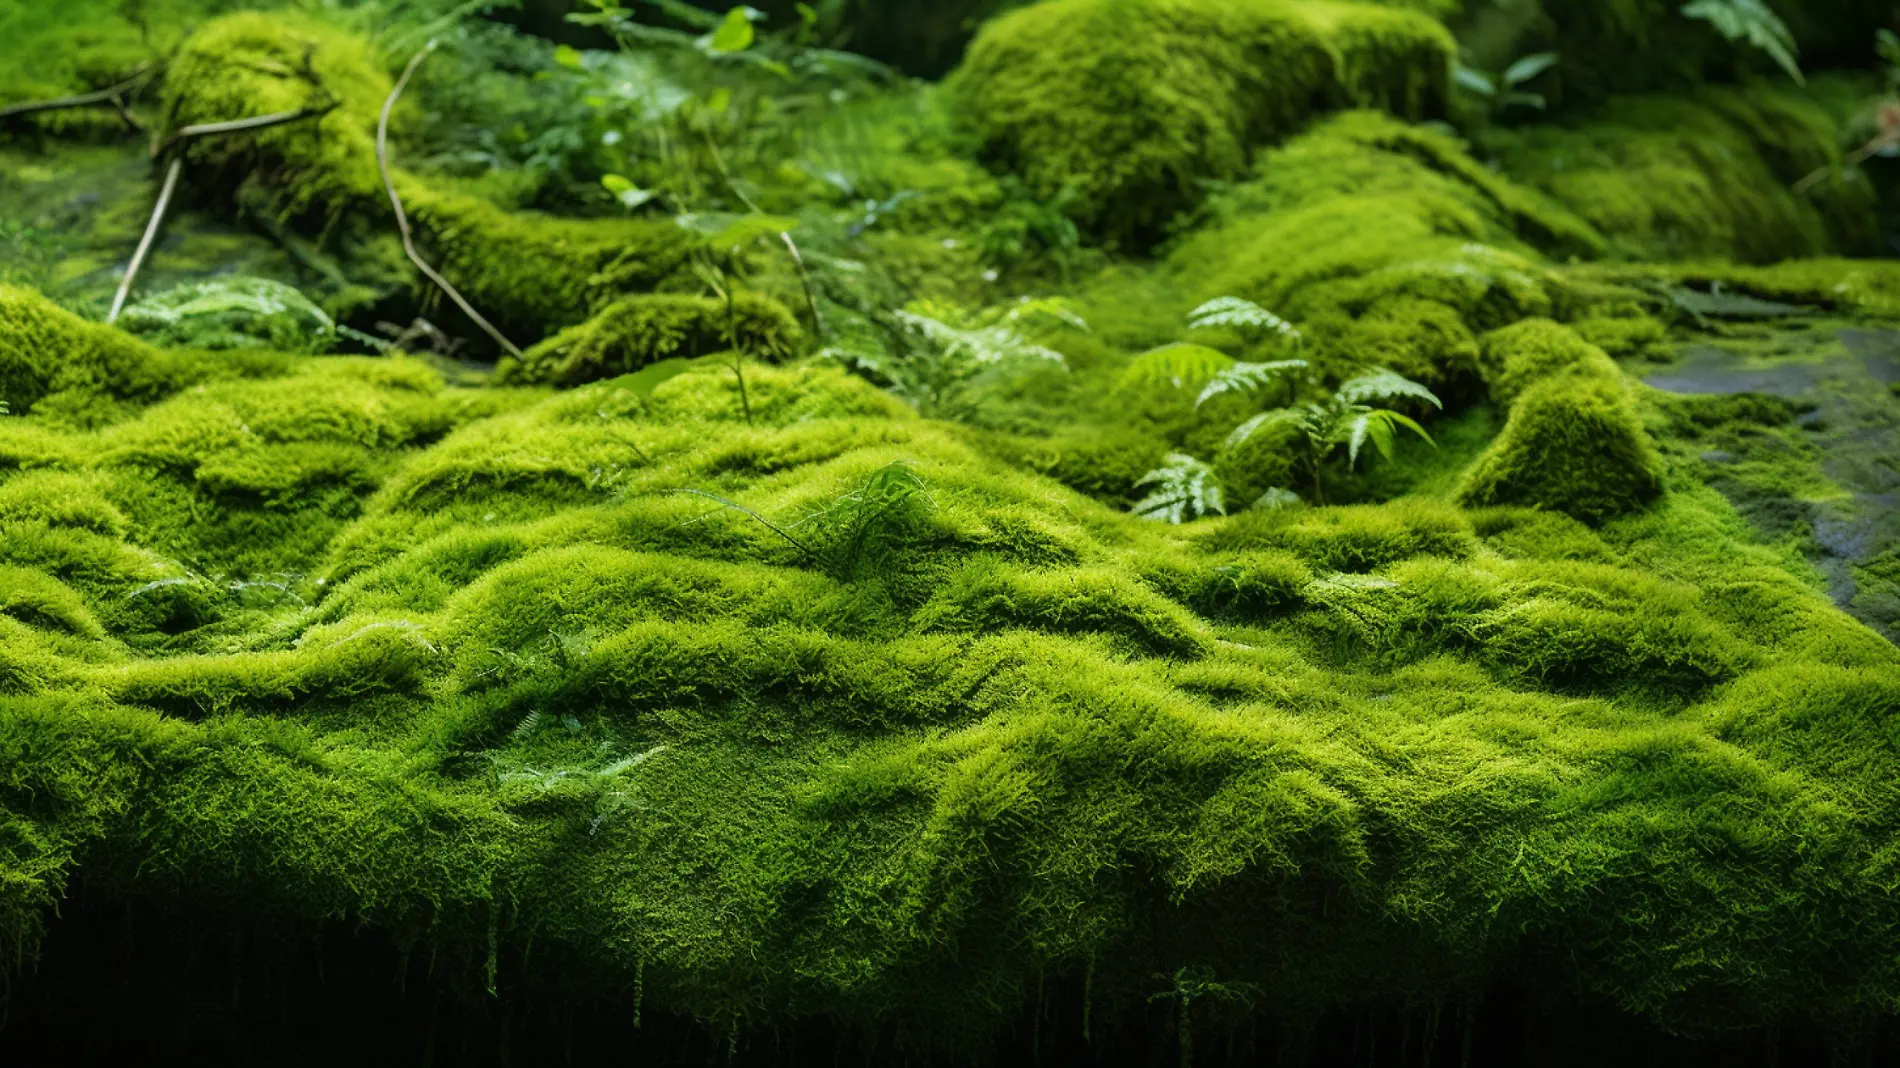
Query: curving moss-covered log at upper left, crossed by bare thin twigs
[[529, 273]]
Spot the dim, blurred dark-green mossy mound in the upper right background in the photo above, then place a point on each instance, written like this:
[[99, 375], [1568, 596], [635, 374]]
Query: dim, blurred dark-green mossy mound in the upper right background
[[1700, 176]]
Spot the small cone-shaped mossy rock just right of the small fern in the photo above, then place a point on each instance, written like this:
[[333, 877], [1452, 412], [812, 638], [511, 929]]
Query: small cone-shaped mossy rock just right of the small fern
[[1572, 444]]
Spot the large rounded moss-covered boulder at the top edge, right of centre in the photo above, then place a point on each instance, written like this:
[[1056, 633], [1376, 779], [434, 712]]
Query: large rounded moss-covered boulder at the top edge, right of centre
[[1128, 107]]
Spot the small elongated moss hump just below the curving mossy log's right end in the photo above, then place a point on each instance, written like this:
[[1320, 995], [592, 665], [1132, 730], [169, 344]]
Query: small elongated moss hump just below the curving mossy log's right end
[[636, 332]]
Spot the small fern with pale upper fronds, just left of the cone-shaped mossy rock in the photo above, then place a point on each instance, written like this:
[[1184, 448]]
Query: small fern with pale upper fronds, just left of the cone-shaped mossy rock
[[1346, 421]]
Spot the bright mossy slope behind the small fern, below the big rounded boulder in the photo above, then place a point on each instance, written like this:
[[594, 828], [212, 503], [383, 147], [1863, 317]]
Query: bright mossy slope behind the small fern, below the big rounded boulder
[[1384, 242]]
